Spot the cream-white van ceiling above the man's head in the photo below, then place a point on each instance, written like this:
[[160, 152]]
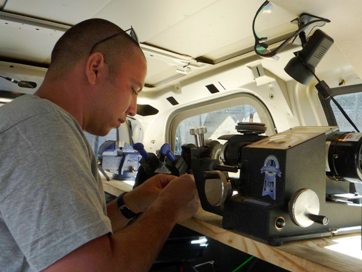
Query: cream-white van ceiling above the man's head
[[180, 38]]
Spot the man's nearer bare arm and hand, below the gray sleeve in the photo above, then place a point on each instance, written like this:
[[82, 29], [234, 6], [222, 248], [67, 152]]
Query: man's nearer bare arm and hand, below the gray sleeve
[[135, 247]]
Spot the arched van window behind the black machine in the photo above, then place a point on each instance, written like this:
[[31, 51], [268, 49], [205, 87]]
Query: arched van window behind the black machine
[[223, 120]]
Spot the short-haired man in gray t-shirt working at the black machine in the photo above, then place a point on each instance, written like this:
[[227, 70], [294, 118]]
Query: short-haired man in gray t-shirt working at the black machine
[[52, 209]]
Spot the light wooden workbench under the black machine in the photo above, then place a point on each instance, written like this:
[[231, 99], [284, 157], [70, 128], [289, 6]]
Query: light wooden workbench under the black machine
[[310, 255]]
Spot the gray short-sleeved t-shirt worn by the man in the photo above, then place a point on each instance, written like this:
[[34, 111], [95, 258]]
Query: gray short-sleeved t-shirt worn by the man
[[51, 197]]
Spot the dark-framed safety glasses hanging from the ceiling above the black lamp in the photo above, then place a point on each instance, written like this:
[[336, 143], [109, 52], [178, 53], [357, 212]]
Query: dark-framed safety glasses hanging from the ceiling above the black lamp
[[260, 42]]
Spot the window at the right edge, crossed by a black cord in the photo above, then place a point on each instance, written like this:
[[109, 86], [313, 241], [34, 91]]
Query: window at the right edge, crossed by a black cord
[[352, 105]]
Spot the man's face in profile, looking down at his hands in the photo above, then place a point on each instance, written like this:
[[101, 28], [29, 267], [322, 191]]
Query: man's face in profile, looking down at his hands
[[117, 97]]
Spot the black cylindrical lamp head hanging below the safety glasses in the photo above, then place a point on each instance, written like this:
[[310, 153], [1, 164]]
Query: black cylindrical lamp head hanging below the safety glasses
[[302, 66]]
